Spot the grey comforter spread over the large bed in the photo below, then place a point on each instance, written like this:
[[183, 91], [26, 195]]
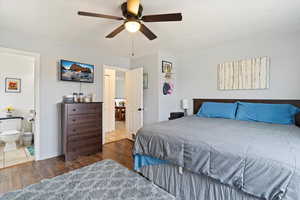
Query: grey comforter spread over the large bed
[[258, 158]]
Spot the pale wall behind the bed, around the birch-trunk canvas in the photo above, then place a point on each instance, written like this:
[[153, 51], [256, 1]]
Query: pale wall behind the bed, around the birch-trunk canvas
[[197, 74]]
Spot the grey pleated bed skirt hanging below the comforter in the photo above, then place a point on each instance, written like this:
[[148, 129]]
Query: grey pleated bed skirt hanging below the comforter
[[191, 186]]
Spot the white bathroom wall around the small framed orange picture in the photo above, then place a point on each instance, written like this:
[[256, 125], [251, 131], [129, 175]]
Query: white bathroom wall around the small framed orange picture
[[21, 67]]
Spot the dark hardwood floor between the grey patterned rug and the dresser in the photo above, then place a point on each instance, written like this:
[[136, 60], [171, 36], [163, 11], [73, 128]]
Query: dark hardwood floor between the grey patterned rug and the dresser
[[19, 176]]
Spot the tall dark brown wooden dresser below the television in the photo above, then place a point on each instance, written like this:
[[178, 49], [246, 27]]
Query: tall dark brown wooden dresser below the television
[[82, 129]]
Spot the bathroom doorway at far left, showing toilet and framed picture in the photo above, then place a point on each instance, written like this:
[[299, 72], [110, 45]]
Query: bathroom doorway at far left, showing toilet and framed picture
[[19, 107]]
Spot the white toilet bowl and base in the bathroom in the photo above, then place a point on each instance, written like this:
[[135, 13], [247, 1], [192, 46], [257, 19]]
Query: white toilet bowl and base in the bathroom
[[10, 138]]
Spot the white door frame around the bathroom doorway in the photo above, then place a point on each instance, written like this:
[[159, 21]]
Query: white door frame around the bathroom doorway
[[37, 108]]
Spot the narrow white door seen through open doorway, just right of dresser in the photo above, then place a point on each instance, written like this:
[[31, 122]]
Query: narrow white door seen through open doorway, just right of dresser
[[109, 100]]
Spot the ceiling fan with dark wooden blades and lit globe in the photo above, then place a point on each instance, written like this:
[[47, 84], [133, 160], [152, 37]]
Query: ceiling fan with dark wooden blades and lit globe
[[132, 12]]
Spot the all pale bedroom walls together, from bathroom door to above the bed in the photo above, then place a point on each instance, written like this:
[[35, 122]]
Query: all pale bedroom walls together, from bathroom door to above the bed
[[196, 75]]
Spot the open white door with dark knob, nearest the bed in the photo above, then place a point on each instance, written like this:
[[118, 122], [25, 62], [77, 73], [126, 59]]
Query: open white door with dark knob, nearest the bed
[[134, 99]]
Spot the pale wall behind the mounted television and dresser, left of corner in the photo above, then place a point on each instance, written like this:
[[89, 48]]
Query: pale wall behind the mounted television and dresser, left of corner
[[51, 89]]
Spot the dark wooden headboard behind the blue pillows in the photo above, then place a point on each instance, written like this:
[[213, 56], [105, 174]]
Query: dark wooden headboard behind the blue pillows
[[198, 103]]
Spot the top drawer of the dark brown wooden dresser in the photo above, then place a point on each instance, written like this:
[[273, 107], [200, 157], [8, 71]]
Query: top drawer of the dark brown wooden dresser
[[74, 109]]
